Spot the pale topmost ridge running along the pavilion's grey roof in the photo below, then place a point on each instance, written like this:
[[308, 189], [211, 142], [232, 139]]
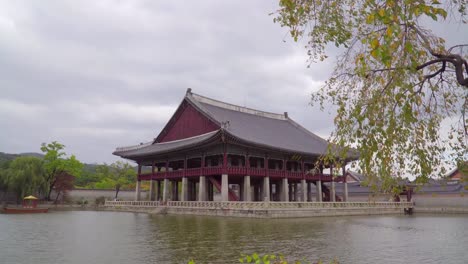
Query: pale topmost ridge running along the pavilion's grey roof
[[238, 108]]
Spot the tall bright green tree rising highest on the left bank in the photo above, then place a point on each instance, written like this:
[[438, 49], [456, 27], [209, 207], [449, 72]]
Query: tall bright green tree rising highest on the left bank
[[56, 163]]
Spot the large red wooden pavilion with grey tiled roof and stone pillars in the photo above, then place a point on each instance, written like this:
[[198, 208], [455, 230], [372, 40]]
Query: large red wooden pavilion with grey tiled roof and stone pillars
[[246, 154]]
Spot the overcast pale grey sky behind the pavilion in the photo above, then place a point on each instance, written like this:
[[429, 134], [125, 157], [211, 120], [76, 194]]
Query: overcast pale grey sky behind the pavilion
[[95, 75]]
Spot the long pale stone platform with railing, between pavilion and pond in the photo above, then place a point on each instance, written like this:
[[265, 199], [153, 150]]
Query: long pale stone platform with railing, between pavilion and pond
[[262, 209]]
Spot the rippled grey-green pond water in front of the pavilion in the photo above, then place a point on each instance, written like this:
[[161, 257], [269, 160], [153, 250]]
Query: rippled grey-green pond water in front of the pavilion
[[117, 237]]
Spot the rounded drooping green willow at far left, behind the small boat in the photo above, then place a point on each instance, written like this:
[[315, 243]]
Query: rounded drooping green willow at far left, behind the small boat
[[24, 176]]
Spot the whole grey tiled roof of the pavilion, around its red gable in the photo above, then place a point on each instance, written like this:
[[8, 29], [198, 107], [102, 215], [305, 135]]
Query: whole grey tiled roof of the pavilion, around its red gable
[[249, 126]]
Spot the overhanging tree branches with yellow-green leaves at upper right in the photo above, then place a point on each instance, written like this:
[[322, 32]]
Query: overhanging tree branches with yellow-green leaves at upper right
[[394, 83]]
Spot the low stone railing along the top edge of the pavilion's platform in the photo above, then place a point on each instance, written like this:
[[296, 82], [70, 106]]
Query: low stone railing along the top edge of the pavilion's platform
[[257, 205]]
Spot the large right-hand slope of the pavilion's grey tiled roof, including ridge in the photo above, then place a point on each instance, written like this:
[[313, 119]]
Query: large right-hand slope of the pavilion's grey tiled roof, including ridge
[[262, 128]]
